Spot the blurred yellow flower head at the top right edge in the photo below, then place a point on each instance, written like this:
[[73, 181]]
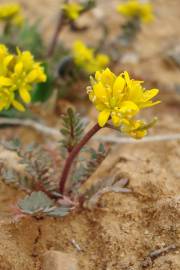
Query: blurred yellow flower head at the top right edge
[[137, 9]]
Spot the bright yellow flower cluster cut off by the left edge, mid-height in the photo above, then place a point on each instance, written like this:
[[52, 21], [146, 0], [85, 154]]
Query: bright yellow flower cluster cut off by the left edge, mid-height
[[18, 73]]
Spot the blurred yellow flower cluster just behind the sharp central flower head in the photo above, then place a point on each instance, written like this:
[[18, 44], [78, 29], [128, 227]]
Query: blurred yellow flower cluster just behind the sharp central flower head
[[87, 59]]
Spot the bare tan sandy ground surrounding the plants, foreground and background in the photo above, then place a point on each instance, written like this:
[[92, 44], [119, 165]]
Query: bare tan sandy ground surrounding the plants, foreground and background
[[125, 228]]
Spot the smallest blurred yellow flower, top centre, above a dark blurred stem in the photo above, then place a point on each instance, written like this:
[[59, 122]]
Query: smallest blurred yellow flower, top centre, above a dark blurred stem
[[72, 10]]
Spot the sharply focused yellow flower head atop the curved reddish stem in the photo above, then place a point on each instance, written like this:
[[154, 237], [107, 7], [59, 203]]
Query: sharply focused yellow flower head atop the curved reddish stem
[[120, 99]]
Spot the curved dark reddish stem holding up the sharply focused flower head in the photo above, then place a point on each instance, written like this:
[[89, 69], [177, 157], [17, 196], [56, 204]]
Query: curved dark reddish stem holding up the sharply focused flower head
[[75, 151]]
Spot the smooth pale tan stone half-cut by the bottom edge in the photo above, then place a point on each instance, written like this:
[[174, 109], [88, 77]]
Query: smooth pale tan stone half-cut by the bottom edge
[[58, 260]]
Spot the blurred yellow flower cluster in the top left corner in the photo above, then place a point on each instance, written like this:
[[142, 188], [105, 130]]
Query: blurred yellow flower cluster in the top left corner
[[11, 13]]
